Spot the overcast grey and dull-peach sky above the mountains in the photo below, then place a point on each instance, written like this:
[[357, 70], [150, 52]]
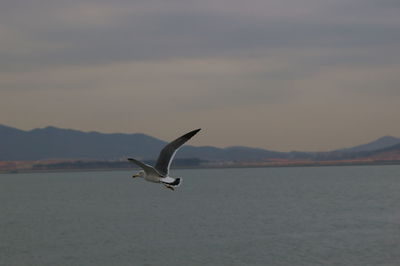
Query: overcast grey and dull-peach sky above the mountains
[[310, 75]]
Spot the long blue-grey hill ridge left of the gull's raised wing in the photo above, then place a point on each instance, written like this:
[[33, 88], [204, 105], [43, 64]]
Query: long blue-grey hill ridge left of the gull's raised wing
[[52, 142]]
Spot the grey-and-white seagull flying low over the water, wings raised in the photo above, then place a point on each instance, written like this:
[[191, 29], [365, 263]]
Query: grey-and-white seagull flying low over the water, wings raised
[[159, 173]]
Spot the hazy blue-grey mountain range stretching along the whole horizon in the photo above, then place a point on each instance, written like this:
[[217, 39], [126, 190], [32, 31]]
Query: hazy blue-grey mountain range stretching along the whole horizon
[[57, 143]]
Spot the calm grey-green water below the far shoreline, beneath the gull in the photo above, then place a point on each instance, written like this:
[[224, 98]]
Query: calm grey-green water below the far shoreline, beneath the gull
[[259, 216]]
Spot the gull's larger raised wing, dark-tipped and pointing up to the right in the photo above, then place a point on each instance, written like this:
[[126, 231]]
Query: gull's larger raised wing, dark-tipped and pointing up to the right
[[168, 152]]
